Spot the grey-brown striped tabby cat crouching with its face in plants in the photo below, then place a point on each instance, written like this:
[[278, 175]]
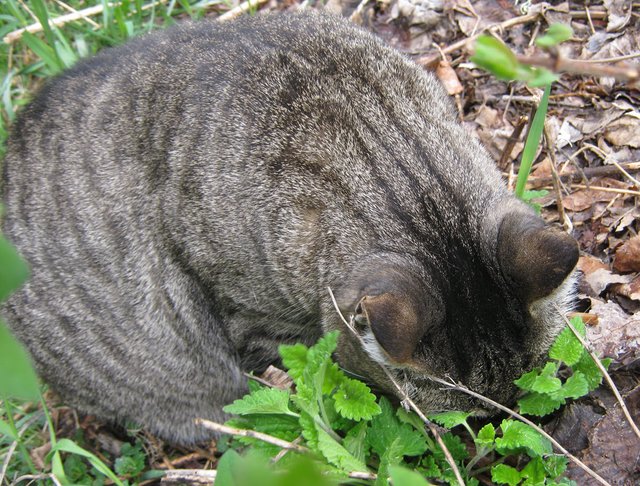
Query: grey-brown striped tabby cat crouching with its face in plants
[[186, 200]]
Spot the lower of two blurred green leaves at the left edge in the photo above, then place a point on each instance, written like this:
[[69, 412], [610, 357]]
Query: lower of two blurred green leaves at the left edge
[[17, 378]]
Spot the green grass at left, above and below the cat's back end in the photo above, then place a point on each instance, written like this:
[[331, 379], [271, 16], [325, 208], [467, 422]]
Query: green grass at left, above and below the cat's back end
[[25, 64]]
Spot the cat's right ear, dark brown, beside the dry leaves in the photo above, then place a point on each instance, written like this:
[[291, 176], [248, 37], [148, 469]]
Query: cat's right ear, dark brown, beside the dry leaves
[[534, 257]]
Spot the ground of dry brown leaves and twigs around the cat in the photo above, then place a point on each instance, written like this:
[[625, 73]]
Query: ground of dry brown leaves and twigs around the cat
[[588, 167]]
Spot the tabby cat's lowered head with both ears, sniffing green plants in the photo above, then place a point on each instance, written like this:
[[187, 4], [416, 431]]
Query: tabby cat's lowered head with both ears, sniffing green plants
[[482, 318]]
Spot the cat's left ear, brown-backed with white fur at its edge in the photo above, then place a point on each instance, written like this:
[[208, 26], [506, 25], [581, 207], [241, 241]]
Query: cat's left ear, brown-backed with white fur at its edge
[[395, 322]]
